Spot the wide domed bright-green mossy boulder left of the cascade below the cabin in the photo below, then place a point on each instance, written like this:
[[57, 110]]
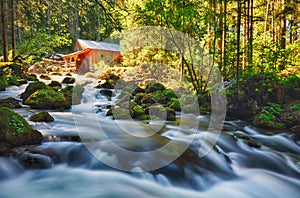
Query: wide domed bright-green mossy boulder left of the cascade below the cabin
[[47, 99]]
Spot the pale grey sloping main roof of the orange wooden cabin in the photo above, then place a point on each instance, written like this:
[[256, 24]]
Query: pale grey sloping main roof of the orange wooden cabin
[[87, 44]]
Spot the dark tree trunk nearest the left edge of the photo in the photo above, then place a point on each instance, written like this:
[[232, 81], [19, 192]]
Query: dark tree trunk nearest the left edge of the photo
[[4, 31]]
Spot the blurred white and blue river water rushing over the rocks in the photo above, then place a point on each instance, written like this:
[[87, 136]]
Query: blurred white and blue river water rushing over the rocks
[[245, 161]]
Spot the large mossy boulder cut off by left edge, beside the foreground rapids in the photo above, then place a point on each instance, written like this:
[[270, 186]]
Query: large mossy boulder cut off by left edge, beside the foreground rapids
[[15, 131]]
